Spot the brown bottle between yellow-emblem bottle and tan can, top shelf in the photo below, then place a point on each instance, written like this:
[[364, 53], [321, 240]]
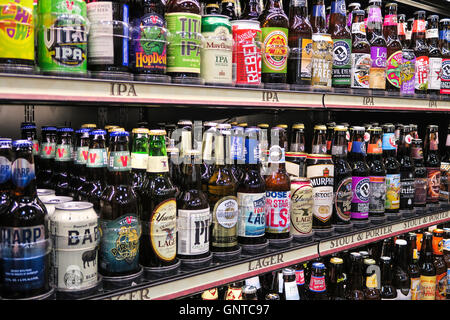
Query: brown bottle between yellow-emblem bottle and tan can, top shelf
[[300, 44]]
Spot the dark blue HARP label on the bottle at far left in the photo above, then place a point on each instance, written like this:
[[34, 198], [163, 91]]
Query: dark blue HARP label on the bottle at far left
[[24, 254]]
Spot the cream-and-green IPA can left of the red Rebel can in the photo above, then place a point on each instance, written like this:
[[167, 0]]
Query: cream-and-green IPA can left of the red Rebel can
[[217, 52]]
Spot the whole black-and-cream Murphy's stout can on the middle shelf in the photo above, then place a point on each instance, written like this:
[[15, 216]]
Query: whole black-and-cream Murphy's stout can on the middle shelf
[[320, 170]]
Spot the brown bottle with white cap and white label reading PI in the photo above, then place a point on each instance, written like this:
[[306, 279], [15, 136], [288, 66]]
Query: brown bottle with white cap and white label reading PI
[[193, 211]]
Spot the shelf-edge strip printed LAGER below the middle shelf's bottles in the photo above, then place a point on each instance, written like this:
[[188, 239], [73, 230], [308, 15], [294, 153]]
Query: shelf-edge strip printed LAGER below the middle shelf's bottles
[[215, 278]]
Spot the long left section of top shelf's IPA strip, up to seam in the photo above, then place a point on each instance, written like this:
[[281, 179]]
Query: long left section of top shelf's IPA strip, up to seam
[[48, 89]]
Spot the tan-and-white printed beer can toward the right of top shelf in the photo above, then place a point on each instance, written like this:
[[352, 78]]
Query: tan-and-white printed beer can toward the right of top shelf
[[322, 61]]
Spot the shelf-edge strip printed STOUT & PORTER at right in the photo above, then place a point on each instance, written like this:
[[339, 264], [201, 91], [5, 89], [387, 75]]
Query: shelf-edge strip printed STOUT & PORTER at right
[[374, 234]]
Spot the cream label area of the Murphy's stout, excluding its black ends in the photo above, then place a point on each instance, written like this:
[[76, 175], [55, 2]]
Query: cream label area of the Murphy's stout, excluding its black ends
[[322, 181]]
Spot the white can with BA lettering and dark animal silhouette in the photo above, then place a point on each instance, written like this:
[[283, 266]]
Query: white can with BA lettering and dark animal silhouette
[[74, 232]]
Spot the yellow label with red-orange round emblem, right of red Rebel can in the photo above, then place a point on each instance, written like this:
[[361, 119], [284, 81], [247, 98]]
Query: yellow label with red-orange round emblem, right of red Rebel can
[[276, 50]]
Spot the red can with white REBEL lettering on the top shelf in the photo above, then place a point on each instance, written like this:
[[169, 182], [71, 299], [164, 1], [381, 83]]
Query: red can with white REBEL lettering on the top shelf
[[246, 52]]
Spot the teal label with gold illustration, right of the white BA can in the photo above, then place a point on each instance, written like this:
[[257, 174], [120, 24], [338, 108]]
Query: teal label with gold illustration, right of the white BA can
[[119, 244]]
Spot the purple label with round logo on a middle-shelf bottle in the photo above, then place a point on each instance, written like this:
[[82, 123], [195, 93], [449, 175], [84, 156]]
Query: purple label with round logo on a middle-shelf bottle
[[360, 199]]
